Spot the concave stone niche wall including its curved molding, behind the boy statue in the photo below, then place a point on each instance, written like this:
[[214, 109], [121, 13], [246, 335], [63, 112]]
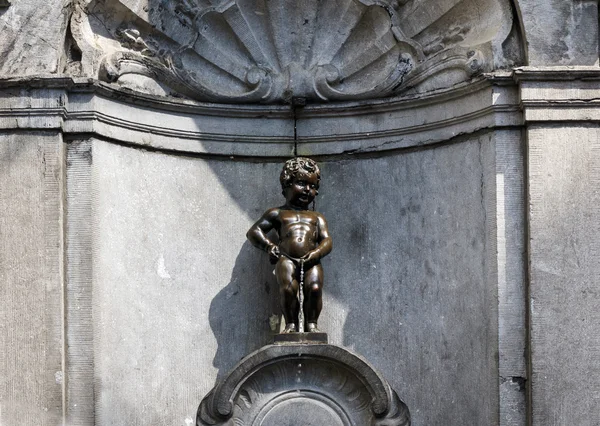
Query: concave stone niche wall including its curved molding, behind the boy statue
[[158, 309]]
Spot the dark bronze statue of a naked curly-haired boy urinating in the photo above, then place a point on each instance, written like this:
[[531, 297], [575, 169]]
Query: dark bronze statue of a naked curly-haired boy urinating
[[303, 240]]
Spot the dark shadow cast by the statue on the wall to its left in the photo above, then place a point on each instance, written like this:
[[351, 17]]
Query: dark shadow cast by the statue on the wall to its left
[[240, 312]]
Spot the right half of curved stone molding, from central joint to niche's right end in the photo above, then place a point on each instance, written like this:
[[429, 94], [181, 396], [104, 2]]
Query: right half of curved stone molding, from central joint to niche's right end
[[372, 127]]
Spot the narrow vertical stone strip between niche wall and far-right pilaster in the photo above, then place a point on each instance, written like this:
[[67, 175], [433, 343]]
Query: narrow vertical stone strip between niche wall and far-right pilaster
[[509, 235]]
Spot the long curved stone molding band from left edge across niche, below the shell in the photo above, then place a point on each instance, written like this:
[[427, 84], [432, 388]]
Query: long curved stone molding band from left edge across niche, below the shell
[[85, 106]]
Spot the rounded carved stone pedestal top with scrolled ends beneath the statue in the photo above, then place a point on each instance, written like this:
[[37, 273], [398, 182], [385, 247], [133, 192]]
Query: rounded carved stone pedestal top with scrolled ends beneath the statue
[[303, 384]]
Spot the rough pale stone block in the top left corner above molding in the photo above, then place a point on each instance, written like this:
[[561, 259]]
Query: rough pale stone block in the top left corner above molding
[[32, 37]]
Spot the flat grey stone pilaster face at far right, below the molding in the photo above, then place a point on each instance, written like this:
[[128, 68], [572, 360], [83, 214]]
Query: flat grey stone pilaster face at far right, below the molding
[[564, 177]]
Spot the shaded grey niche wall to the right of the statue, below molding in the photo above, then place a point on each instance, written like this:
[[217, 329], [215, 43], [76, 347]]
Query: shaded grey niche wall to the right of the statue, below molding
[[411, 269]]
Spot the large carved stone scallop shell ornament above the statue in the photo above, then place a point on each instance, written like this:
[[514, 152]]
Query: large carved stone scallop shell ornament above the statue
[[270, 51]]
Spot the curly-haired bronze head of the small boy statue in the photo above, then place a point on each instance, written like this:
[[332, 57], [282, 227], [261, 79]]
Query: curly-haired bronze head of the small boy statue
[[300, 179]]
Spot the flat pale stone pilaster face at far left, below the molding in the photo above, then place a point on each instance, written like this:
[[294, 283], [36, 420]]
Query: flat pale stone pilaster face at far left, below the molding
[[31, 346]]
